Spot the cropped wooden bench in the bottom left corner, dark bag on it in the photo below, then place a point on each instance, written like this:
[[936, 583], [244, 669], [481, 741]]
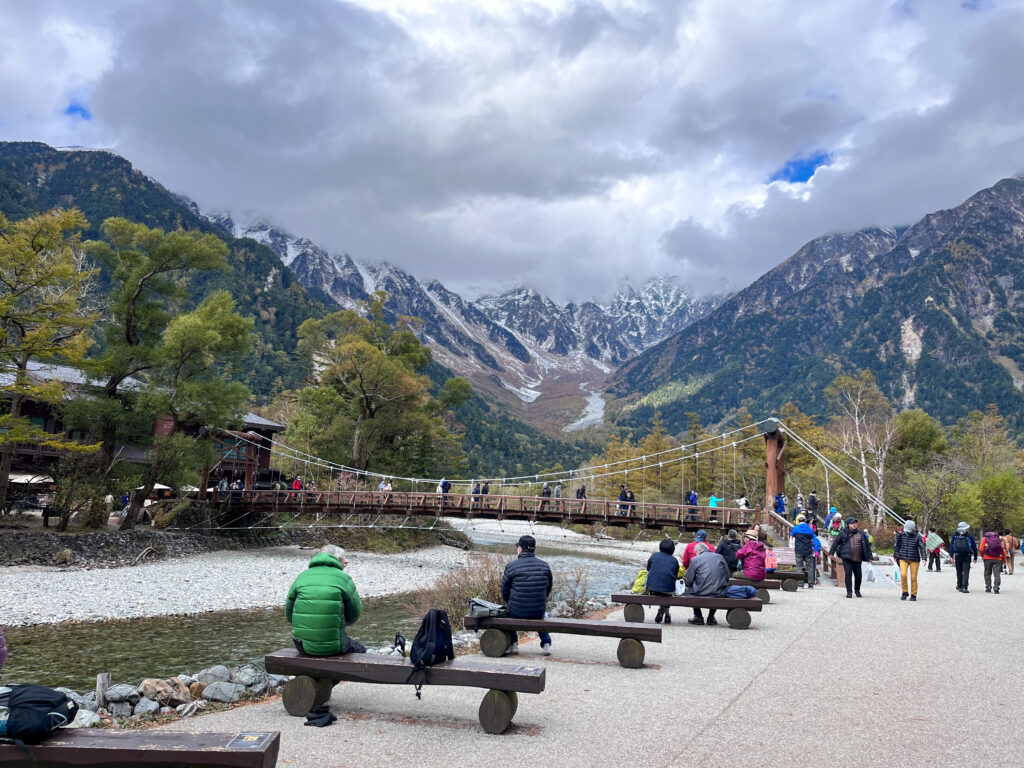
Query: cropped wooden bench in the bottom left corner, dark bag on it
[[109, 749]]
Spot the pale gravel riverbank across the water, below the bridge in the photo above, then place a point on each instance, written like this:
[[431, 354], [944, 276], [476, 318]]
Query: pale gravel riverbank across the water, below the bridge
[[215, 581]]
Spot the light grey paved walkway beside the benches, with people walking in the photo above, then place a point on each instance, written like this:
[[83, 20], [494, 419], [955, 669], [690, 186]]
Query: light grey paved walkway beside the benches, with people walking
[[819, 678]]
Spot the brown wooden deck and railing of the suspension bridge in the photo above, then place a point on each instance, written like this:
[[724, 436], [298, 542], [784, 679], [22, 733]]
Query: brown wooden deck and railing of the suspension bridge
[[536, 509]]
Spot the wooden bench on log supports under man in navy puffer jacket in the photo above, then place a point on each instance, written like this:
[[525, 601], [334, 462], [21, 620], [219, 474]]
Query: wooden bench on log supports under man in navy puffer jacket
[[500, 633]]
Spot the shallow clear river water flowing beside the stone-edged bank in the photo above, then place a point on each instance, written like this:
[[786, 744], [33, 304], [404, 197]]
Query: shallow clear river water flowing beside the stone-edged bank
[[72, 655]]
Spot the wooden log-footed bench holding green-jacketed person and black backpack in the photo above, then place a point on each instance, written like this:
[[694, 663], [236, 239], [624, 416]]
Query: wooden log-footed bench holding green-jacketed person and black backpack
[[316, 676]]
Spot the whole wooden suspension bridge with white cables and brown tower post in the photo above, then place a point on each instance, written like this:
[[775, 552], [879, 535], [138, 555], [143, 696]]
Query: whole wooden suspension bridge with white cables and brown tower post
[[346, 500]]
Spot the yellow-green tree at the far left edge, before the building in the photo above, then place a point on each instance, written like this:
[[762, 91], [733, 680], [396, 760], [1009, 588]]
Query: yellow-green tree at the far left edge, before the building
[[45, 315]]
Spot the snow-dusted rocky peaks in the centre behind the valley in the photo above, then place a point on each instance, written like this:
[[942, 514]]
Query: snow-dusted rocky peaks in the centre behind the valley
[[520, 348]]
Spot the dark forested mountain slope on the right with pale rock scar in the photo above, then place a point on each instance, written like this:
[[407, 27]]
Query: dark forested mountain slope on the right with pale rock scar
[[935, 311]]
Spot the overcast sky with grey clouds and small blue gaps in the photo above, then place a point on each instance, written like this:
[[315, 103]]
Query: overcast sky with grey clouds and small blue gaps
[[558, 145]]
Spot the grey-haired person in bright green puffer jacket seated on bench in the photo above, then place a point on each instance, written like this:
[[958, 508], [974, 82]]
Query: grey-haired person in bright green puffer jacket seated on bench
[[322, 603]]
